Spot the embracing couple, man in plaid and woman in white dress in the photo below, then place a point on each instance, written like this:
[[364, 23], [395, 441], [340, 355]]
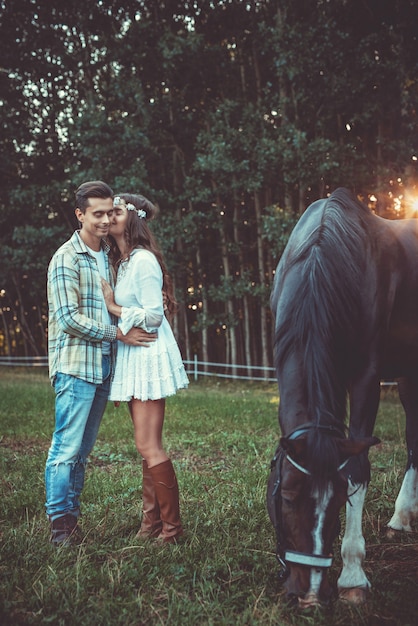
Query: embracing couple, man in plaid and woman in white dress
[[109, 339]]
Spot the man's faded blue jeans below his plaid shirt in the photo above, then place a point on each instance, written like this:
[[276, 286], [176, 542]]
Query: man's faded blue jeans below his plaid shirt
[[79, 408]]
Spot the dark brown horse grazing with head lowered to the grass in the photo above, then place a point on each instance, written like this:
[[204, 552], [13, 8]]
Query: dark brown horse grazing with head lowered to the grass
[[345, 303]]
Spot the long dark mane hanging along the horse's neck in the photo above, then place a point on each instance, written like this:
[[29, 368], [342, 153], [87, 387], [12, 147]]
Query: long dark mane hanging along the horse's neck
[[321, 321]]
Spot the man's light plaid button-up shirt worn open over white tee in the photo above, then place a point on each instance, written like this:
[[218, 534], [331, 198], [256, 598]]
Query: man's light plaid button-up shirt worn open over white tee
[[75, 301]]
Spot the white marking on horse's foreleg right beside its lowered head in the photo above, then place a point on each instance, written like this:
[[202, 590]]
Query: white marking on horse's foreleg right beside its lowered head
[[353, 548]]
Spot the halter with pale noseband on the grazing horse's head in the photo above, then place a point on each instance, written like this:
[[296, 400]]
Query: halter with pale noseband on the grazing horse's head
[[291, 556]]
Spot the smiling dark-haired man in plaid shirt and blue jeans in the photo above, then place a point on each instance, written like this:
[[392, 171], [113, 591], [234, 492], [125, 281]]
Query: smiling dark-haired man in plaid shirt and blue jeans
[[81, 349]]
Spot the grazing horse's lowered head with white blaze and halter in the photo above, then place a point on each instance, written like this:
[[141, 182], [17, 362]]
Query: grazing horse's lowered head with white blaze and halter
[[305, 493]]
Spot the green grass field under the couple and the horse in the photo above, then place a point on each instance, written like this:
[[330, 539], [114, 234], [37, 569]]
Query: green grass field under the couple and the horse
[[221, 437]]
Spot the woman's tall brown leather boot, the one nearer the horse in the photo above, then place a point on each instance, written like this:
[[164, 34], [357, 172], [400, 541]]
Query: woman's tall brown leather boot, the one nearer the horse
[[167, 490]]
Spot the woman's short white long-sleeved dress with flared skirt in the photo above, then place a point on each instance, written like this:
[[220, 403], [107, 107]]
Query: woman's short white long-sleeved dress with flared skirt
[[157, 371]]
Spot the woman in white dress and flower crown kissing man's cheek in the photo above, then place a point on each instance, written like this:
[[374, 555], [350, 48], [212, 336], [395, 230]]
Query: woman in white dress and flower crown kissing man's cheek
[[144, 377]]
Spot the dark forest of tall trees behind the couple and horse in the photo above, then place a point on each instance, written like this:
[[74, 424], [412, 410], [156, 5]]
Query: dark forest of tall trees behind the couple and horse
[[231, 115]]
